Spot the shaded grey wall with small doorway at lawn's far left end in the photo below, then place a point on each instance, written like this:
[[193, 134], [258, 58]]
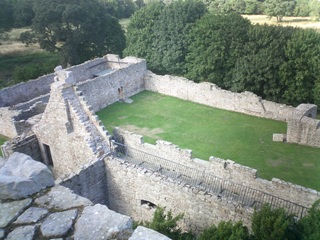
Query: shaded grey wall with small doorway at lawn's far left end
[[103, 91]]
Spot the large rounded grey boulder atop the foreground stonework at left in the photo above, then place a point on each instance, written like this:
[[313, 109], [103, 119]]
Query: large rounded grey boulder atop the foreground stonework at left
[[21, 176]]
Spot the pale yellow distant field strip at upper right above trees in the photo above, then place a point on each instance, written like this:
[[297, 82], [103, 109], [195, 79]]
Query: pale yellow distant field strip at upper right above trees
[[302, 22]]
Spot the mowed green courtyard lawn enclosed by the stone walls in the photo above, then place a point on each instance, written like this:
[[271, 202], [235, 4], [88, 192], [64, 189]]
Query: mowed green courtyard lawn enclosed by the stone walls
[[213, 132]]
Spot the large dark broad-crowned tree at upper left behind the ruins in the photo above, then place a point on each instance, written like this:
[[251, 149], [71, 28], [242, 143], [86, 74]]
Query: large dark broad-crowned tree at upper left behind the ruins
[[77, 29]]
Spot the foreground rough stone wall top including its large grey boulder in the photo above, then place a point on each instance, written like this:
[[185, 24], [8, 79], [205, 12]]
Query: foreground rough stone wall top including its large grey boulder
[[31, 207]]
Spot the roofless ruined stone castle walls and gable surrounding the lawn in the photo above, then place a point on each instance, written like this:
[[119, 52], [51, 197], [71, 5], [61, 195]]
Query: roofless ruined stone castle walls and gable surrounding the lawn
[[53, 120]]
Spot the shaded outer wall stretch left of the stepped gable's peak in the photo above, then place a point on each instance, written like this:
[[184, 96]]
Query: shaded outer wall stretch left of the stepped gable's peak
[[25, 91]]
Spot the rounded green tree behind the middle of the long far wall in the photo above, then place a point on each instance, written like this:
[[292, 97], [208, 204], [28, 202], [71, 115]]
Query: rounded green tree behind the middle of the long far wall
[[216, 42]]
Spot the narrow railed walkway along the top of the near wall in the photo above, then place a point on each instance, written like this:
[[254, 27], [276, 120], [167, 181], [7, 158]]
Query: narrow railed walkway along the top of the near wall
[[222, 188]]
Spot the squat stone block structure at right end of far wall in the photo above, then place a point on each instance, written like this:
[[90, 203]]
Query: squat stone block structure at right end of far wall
[[303, 127]]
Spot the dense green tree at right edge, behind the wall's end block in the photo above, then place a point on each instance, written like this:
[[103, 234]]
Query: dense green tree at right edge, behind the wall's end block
[[300, 70]]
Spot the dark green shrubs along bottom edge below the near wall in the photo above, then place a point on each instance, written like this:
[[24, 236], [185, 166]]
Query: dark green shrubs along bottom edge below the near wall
[[266, 223]]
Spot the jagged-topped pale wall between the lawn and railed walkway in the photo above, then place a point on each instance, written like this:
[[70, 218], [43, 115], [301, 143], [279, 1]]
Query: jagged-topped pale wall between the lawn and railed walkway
[[225, 169]]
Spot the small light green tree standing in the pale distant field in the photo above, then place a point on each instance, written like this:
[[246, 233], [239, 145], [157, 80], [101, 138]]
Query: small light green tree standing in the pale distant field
[[279, 8]]
